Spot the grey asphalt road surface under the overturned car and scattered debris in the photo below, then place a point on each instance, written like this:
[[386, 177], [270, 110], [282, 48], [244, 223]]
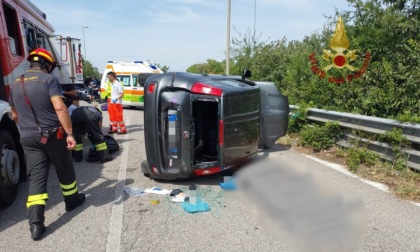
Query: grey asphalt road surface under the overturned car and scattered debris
[[293, 203]]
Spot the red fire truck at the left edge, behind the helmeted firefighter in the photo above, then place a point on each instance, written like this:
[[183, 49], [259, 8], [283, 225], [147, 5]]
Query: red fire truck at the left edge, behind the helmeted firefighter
[[23, 27]]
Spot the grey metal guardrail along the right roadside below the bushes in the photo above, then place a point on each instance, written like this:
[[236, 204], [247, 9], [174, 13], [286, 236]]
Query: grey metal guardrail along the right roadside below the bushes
[[373, 125]]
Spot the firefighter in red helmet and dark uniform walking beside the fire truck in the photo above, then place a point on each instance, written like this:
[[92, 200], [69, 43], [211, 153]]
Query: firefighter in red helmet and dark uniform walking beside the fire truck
[[46, 136]]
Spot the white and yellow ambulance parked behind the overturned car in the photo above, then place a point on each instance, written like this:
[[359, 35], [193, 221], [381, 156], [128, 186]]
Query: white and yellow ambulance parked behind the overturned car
[[132, 76]]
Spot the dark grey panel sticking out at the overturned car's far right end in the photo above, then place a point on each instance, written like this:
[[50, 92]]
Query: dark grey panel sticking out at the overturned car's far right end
[[274, 114]]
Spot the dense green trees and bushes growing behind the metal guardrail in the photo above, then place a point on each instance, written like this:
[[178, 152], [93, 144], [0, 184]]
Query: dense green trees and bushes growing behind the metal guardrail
[[385, 34]]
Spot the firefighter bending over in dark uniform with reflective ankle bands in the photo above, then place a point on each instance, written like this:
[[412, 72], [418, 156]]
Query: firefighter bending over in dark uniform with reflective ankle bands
[[88, 120]]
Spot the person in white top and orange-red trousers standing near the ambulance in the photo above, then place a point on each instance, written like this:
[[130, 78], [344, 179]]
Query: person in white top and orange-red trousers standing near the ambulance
[[115, 108]]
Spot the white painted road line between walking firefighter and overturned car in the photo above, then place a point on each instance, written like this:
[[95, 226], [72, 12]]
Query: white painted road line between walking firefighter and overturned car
[[116, 220]]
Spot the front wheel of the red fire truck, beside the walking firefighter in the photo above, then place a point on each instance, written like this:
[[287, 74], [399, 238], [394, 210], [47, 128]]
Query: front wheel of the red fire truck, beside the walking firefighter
[[9, 169]]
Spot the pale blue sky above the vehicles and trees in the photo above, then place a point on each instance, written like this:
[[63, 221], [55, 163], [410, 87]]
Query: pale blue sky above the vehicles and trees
[[180, 33]]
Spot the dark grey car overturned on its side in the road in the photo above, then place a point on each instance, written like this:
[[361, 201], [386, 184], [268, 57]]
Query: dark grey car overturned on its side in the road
[[203, 124]]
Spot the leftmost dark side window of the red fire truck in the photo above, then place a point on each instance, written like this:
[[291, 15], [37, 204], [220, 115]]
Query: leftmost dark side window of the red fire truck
[[15, 41]]
